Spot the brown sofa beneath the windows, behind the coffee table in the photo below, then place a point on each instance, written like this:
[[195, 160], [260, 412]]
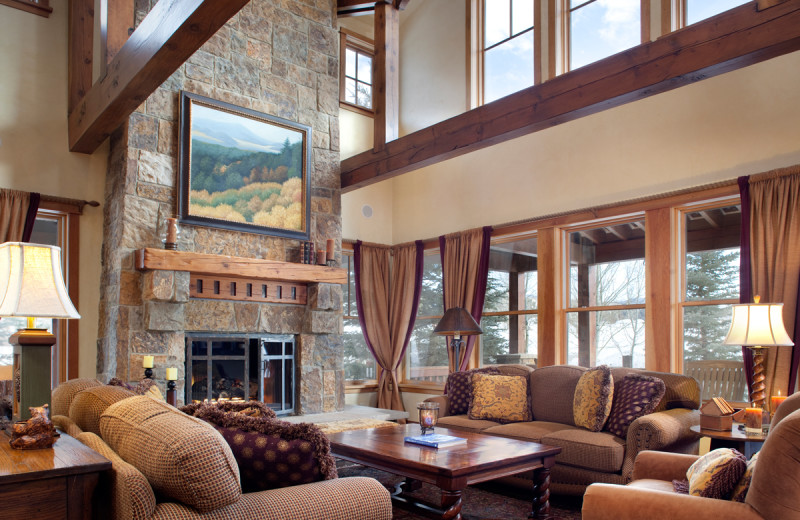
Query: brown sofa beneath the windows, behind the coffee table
[[589, 457]]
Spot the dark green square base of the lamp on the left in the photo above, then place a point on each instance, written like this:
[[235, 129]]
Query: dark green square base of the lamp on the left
[[31, 370]]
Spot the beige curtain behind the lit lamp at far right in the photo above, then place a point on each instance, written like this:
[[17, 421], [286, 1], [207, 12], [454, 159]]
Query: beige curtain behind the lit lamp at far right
[[775, 254]]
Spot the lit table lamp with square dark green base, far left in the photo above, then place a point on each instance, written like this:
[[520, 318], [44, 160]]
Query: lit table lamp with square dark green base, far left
[[32, 286]]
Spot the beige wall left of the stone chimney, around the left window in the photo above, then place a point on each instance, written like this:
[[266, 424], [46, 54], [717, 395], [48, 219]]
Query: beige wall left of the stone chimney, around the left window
[[34, 151]]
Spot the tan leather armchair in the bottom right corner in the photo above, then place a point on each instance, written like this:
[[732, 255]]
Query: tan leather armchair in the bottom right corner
[[774, 490]]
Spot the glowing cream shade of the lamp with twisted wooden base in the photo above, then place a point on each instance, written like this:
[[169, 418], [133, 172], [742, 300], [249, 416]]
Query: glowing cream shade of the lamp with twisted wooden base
[[758, 325]]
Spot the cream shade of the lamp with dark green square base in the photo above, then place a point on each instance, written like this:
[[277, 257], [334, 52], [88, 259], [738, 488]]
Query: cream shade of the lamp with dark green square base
[[31, 282]]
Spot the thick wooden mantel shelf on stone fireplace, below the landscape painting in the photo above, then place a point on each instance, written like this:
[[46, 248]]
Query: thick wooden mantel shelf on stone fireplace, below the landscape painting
[[236, 267]]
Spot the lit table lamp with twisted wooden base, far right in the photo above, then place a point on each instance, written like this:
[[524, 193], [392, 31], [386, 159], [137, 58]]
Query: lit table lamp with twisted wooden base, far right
[[758, 326]]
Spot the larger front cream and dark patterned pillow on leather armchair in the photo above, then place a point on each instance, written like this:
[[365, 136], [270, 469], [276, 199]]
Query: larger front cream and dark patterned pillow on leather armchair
[[715, 474]]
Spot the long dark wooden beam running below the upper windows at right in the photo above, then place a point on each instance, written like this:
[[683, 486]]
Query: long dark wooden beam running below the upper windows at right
[[732, 40]]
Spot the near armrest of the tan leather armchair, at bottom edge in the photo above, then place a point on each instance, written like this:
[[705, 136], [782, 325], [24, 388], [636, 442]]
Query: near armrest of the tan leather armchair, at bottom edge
[[613, 502]]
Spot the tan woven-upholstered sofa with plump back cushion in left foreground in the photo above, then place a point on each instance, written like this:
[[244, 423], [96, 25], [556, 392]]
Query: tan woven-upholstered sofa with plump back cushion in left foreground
[[161, 452]]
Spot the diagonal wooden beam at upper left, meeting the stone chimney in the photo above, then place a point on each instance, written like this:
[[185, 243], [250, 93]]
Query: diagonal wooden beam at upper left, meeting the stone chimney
[[167, 37]]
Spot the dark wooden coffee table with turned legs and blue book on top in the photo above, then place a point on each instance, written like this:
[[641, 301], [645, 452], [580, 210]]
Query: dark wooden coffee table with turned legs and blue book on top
[[451, 469]]
